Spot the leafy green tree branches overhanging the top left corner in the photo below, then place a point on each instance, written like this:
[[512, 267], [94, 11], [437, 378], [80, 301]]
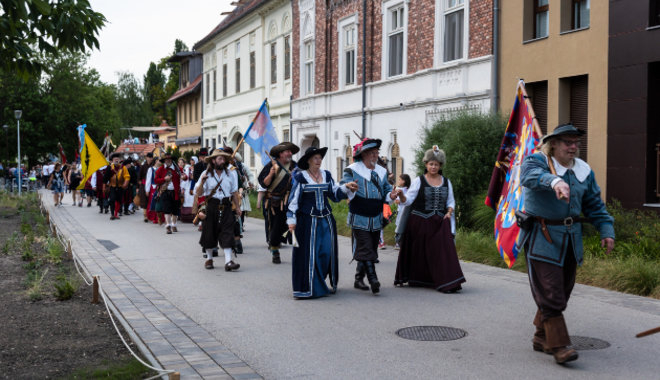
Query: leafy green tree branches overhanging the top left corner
[[30, 28]]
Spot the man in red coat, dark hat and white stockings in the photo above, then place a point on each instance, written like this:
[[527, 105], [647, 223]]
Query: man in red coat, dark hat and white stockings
[[168, 178]]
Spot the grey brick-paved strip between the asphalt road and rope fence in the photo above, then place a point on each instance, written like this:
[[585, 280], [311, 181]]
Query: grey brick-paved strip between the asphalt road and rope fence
[[164, 333]]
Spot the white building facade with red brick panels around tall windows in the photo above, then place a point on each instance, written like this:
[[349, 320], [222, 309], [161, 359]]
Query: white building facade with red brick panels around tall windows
[[422, 59]]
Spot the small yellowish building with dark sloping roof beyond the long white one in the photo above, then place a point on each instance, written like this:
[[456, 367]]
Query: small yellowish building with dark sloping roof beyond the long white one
[[188, 101]]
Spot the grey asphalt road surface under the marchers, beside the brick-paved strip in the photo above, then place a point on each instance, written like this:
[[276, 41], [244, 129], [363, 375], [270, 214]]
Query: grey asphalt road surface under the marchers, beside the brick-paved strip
[[351, 335]]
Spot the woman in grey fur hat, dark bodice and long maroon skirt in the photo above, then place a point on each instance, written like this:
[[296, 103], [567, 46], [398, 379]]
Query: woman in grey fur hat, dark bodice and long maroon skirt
[[428, 255]]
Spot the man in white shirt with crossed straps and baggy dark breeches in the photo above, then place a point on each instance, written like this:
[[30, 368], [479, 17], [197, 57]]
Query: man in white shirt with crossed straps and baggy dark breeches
[[219, 185]]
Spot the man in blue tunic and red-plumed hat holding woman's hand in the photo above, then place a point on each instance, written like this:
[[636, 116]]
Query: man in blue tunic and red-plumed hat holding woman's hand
[[366, 208]]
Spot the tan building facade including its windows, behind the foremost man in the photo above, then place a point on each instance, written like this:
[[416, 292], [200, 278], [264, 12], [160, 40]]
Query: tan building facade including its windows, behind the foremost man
[[560, 50]]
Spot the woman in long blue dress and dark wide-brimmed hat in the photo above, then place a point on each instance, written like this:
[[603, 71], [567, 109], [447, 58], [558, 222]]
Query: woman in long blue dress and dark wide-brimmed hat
[[309, 216]]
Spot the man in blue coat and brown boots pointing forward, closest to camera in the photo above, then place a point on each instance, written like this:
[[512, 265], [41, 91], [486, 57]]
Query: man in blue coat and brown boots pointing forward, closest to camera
[[559, 187]]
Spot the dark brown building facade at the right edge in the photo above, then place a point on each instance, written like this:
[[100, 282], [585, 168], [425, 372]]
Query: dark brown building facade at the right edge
[[633, 117]]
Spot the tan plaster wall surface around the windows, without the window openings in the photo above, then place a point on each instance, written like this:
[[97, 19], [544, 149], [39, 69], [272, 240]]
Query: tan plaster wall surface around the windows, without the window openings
[[559, 56]]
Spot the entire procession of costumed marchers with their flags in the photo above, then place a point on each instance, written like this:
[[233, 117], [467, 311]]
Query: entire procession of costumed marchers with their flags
[[541, 190]]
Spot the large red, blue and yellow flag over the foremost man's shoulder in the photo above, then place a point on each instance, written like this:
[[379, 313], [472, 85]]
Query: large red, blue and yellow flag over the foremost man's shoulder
[[505, 194]]
